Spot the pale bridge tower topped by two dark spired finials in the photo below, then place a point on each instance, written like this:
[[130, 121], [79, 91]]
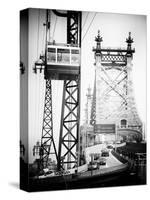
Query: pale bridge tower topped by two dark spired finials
[[113, 106]]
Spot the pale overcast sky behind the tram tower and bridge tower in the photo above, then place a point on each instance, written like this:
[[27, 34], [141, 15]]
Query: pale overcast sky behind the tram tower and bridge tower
[[114, 29]]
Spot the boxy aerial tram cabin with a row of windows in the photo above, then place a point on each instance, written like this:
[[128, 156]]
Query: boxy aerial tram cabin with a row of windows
[[63, 61]]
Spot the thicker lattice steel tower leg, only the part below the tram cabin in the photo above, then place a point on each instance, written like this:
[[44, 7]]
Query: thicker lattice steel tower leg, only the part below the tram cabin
[[69, 130]]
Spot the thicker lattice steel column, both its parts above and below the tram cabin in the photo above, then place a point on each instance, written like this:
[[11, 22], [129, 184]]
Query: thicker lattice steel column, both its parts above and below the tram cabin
[[69, 129]]
